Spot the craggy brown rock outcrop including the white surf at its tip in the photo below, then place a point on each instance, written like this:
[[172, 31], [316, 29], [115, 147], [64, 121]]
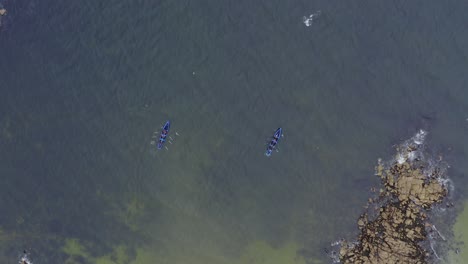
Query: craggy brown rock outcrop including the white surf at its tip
[[396, 225]]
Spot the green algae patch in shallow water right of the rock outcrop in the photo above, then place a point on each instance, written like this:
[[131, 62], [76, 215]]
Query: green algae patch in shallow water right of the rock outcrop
[[460, 229]]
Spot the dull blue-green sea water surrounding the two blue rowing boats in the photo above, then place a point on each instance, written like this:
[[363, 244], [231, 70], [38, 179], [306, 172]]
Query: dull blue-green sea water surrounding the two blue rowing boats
[[85, 84]]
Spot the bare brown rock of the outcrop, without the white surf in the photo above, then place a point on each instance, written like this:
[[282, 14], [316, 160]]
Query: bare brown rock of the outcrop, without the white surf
[[395, 234]]
